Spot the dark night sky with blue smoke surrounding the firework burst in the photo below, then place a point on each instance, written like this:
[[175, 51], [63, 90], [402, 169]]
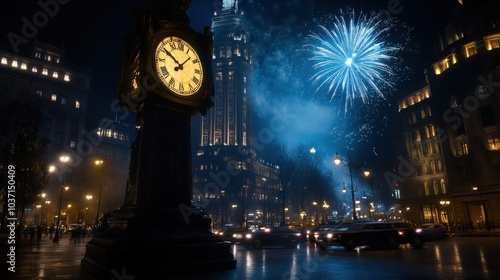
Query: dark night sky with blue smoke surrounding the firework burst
[[92, 33]]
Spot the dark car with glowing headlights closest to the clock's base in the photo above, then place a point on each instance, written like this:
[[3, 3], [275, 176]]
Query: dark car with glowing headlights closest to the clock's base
[[271, 237]]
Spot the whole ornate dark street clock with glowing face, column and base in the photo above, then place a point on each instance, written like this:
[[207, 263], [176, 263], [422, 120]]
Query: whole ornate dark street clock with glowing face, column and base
[[166, 78]]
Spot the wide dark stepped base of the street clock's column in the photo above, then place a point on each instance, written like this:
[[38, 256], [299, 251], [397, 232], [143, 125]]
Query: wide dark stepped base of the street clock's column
[[156, 244]]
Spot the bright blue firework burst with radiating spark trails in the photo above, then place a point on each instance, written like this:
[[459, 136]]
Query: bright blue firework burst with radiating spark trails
[[352, 58]]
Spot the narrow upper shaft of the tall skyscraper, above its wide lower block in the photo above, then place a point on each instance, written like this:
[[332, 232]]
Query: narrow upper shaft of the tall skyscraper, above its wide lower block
[[229, 122]]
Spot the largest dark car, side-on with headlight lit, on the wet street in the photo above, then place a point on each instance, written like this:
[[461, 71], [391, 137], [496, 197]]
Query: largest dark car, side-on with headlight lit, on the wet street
[[353, 234]]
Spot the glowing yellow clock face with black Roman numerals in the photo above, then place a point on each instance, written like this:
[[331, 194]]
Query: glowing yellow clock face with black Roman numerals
[[178, 66]]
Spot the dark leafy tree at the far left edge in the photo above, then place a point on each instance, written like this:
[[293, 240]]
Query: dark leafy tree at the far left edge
[[24, 145]]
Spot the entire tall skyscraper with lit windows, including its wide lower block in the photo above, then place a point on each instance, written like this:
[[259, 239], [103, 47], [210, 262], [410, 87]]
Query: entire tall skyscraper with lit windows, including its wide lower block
[[229, 180]]
